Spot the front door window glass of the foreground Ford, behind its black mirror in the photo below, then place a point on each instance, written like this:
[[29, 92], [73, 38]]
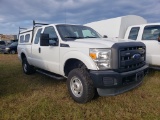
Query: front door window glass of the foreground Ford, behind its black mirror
[[52, 34]]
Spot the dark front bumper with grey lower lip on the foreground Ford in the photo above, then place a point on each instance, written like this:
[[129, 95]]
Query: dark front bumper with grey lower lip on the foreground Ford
[[113, 83]]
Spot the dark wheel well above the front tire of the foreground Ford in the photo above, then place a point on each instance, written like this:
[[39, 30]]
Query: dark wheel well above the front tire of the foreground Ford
[[72, 64]]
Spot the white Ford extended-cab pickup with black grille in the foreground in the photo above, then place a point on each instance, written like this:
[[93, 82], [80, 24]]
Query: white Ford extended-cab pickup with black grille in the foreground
[[80, 54]]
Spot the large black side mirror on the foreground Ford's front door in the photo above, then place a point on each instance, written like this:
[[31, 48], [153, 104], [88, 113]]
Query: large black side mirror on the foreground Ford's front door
[[44, 40]]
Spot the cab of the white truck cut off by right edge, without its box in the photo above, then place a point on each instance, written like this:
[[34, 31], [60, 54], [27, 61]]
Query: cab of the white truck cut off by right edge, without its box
[[149, 34]]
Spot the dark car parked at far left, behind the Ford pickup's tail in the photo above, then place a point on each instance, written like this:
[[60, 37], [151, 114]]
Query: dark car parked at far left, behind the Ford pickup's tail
[[11, 48]]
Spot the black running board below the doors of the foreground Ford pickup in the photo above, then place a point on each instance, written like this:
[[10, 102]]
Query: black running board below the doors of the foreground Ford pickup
[[52, 75]]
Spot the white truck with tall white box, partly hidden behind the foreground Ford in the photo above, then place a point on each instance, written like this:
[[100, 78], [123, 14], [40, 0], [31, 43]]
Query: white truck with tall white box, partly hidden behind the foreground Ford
[[134, 28]]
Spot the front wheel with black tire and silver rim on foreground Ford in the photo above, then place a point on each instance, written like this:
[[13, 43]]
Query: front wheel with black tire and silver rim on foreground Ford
[[80, 86]]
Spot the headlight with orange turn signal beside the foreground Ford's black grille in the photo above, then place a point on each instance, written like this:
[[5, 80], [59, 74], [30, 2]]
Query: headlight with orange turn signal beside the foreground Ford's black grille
[[101, 57]]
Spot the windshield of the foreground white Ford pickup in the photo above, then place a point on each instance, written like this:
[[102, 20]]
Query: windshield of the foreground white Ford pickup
[[72, 32]]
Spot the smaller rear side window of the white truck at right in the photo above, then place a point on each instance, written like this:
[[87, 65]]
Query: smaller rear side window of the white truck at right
[[133, 33]]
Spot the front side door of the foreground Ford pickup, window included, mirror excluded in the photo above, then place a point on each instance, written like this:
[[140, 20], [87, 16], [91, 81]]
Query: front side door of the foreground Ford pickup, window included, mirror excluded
[[50, 54]]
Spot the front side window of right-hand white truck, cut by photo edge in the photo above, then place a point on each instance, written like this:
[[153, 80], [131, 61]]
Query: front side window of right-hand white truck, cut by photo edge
[[151, 32]]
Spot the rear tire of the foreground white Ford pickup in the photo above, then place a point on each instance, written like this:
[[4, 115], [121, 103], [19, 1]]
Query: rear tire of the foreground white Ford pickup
[[27, 69]]
